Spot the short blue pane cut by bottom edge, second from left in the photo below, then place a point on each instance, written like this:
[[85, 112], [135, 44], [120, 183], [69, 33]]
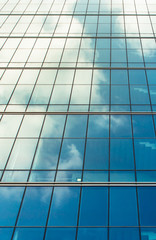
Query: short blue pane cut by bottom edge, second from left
[[28, 233]]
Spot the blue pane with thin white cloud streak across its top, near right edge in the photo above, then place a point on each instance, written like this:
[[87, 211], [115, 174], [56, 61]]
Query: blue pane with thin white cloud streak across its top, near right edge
[[139, 94]]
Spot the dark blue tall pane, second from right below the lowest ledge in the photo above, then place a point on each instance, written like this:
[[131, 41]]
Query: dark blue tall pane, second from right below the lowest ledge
[[123, 206]]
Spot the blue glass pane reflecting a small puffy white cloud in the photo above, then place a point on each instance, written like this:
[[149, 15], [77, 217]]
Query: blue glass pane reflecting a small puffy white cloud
[[72, 154]]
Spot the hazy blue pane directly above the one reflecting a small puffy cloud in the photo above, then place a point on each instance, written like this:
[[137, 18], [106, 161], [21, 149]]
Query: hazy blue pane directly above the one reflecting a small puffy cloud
[[76, 126]]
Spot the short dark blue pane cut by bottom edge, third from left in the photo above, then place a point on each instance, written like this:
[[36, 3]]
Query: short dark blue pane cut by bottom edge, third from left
[[60, 234]]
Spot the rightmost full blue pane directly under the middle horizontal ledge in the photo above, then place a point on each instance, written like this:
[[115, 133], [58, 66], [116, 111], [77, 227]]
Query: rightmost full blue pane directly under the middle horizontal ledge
[[143, 126]]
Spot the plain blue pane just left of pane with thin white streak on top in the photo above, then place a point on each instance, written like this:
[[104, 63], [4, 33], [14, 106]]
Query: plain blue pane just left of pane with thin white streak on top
[[119, 94]]
